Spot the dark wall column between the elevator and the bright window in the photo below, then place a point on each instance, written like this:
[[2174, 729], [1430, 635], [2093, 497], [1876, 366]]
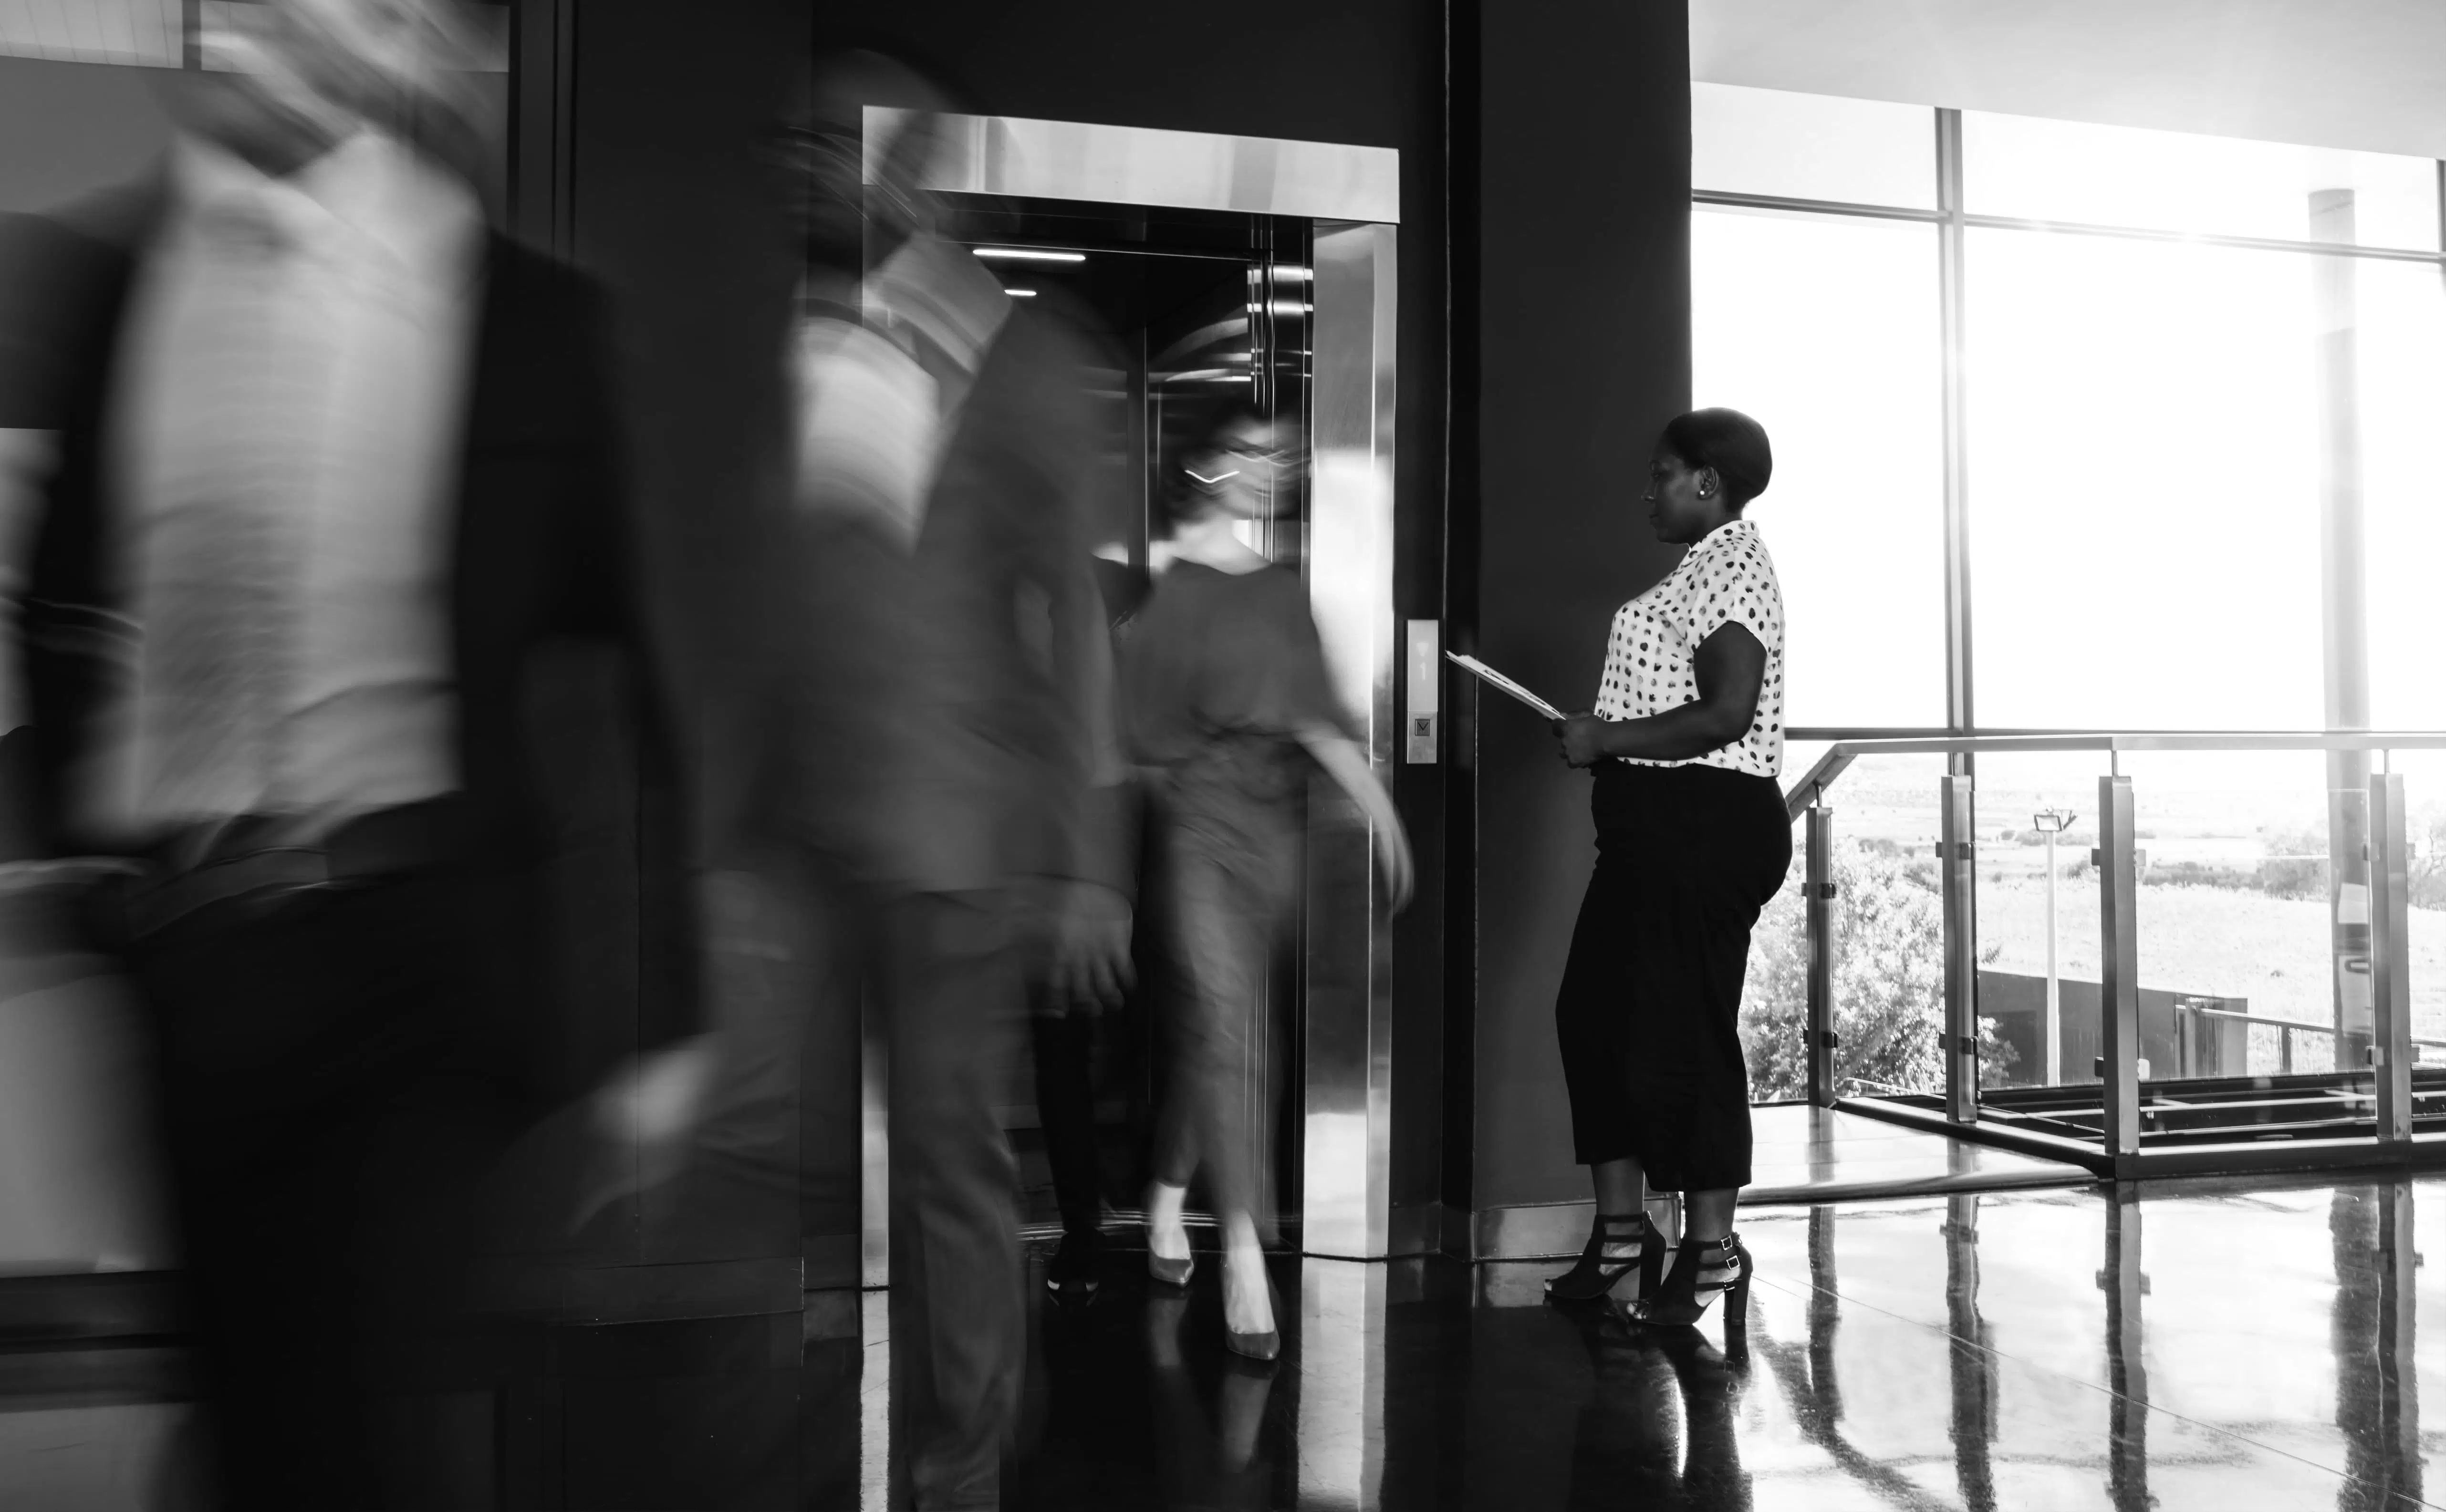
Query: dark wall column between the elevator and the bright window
[[1581, 354]]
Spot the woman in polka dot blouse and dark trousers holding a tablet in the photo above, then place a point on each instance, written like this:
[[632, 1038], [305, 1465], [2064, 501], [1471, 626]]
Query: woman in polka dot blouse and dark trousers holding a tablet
[[1687, 745]]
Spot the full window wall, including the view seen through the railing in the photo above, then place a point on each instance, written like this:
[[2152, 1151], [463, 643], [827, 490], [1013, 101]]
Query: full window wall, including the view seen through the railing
[[2112, 390]]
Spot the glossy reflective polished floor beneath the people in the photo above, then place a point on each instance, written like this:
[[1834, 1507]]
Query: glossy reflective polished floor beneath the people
[[2210, 1344]]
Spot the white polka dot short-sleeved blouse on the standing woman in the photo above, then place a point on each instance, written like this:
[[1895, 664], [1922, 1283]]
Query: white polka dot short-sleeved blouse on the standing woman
[[1652, 657]]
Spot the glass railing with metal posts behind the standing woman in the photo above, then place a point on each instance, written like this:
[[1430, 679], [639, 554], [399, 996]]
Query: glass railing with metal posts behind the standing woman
[[2124, 948]]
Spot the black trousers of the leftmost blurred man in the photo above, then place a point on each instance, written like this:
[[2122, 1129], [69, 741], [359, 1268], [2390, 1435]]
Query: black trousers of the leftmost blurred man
[[324, 1141]]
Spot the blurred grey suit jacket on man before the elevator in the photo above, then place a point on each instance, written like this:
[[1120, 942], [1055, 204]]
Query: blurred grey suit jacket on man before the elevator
[[950, 703]]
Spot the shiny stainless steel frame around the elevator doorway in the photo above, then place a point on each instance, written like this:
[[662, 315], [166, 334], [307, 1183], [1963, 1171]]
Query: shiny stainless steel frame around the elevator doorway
[[1354, 199]]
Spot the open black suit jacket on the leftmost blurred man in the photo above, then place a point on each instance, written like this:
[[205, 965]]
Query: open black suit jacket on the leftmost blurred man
[[542, 554]]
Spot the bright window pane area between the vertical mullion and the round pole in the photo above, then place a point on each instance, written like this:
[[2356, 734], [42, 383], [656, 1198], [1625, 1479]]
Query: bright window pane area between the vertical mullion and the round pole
[[2144, 486]]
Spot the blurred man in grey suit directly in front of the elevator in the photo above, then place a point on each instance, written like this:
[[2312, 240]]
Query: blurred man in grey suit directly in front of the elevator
[[948, 772]]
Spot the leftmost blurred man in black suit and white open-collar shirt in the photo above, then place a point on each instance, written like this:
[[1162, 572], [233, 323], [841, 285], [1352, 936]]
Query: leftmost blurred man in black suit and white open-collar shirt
[[329, 464]]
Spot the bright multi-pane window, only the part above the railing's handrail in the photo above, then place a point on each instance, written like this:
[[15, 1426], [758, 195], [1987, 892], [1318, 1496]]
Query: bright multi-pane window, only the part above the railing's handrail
[[2161, 388]]
